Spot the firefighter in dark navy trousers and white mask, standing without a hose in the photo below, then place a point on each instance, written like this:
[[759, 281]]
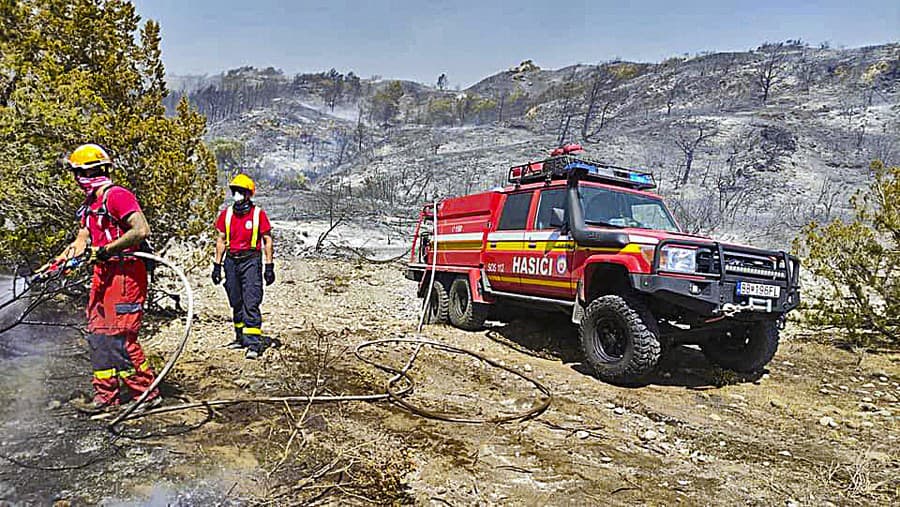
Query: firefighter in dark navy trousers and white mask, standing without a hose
[[245, 237]]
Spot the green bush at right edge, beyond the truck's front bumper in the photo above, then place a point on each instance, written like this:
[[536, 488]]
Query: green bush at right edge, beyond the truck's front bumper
[[858, 263]]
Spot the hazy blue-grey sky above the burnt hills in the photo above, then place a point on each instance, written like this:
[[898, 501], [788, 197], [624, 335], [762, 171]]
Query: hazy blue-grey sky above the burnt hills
[[419, 39]]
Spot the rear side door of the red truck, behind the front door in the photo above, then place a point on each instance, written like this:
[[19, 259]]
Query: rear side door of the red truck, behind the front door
[[505, 242]]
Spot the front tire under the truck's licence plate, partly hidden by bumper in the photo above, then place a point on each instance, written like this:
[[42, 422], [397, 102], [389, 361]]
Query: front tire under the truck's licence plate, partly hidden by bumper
[[747, 348]]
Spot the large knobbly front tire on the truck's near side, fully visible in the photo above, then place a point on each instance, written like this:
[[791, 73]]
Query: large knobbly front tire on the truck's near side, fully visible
[[638, 342]]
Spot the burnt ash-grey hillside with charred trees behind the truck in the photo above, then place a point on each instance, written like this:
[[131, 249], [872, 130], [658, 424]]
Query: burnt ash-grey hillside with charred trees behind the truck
[[752, 144]]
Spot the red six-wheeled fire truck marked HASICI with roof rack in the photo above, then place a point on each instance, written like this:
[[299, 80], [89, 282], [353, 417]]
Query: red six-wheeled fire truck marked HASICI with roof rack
[[589, 239]]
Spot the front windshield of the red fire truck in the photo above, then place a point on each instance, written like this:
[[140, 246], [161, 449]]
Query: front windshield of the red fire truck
[[623, 209]]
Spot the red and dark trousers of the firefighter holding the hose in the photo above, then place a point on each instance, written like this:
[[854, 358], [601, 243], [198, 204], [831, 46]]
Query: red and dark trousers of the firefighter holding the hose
[[115, 308]]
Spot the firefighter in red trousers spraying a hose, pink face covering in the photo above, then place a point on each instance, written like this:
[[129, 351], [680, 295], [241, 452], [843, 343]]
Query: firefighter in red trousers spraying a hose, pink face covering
[[112, 227]]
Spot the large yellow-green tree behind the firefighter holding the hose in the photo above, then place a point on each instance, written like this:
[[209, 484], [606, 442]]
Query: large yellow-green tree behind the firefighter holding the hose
[[79, 71]]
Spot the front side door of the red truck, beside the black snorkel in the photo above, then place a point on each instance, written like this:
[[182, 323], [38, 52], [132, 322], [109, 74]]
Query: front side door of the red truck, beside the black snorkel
[[548, 265]]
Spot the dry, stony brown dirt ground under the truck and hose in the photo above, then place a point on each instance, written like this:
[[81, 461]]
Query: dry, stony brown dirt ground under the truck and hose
[[820, 427]]
